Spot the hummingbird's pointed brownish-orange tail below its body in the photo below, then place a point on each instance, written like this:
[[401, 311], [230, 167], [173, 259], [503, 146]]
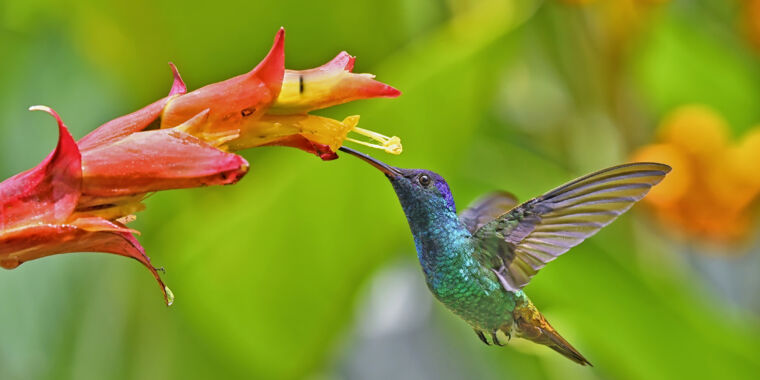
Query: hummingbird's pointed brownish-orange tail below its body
[[530, 324]]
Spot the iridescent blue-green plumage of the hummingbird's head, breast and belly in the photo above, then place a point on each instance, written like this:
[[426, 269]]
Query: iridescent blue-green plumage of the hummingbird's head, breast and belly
[[445, 250]]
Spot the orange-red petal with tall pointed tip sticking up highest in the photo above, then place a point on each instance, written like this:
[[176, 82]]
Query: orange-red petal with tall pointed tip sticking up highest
[[230, 102]]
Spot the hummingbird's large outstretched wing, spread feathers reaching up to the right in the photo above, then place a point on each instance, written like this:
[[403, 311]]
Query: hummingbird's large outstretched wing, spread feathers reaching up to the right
[[517, 244]]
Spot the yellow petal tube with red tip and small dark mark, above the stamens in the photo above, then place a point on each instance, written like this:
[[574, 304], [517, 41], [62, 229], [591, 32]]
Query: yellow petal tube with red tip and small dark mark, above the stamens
[[330, 84]]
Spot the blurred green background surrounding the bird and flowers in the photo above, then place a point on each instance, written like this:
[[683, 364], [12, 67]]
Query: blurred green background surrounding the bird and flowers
[[306, 269]]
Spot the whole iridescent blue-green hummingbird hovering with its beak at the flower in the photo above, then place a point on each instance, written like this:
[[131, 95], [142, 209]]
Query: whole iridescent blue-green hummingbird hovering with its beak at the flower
[[478, 262]]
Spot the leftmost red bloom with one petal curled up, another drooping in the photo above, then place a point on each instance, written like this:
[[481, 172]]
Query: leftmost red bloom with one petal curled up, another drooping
[[38, 216]]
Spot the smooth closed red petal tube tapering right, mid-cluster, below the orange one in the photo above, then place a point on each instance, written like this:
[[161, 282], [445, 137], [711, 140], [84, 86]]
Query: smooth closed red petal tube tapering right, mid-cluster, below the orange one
[[157, 160]]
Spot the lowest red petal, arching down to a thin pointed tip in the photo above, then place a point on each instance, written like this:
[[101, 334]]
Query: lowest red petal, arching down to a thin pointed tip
[[82, 235]]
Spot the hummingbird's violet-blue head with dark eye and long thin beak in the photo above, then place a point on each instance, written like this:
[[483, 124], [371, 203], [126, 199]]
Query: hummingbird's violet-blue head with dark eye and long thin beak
[[417, 189]]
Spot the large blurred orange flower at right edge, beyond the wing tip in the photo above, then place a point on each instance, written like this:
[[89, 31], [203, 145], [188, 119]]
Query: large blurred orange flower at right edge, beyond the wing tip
[[715, 183]]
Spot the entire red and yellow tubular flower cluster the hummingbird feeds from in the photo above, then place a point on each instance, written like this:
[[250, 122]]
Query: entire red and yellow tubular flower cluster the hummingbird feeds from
[[82, 194]]
